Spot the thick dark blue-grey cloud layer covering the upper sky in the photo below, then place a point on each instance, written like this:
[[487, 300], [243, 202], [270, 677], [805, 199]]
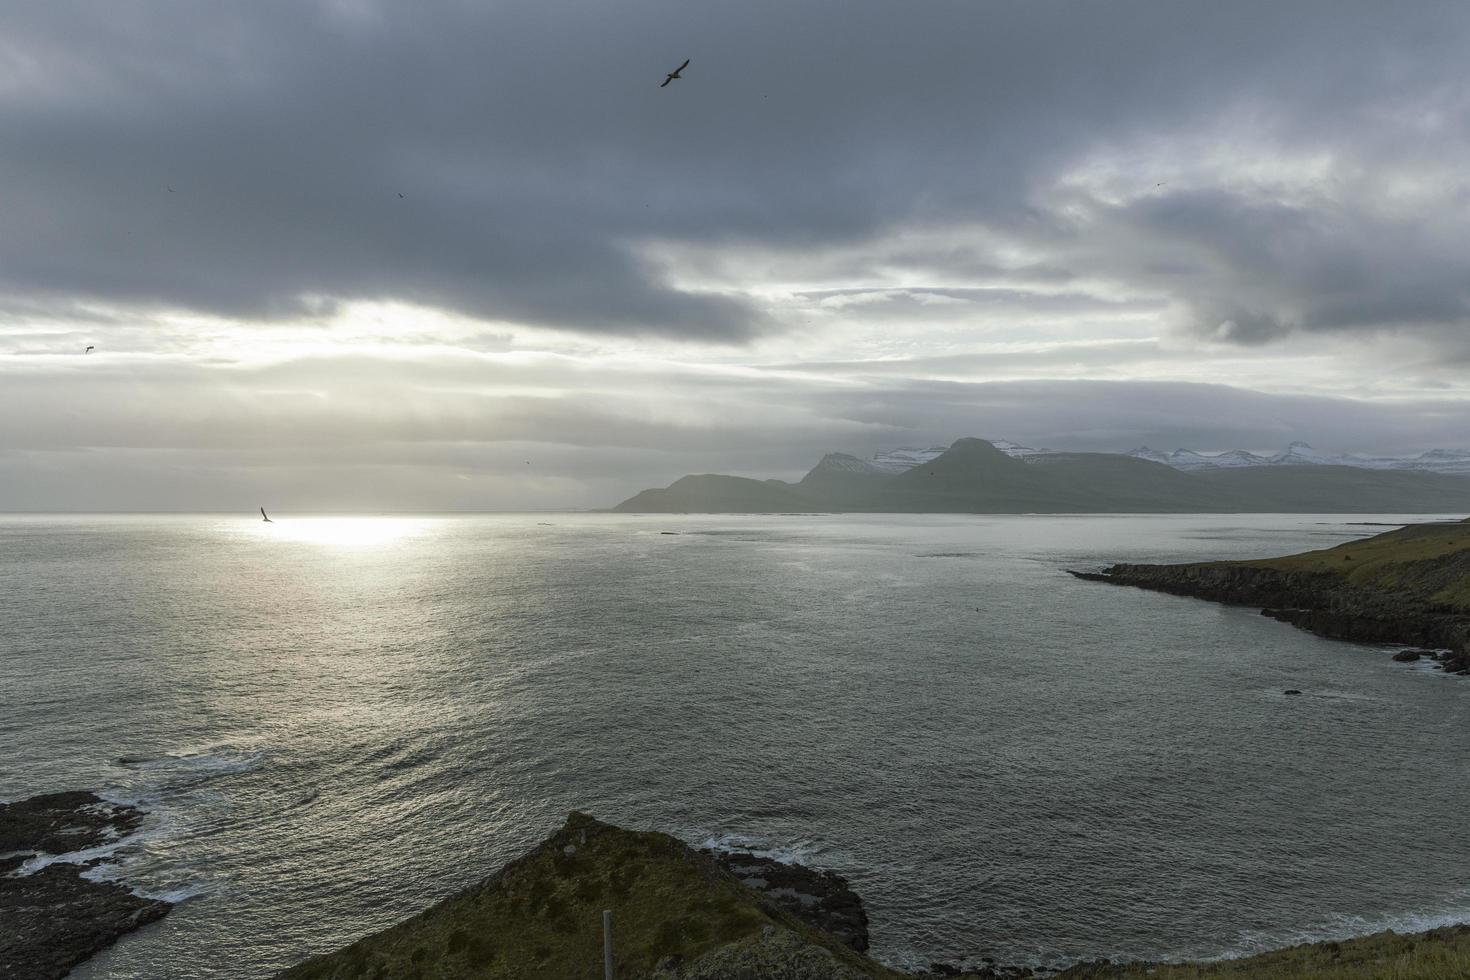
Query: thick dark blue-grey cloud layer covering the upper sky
[[537, 156]]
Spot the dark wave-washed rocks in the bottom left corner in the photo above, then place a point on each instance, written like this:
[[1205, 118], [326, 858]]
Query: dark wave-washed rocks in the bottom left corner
[[54, 919]]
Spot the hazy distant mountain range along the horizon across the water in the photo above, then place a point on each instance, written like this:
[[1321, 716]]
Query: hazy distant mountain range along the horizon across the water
[[975, 478]]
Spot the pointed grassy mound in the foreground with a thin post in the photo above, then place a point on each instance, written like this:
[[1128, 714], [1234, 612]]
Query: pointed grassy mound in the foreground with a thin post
[[542, 918]]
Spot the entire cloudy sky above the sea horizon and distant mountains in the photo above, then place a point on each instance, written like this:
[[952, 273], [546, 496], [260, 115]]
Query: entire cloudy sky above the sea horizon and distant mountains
[[358, 255]]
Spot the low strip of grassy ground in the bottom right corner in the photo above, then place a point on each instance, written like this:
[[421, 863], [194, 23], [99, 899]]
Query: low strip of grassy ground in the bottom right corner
[[1443, 954]]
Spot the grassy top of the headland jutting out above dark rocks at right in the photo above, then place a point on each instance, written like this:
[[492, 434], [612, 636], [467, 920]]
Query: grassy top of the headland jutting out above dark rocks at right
[[1431, 562]]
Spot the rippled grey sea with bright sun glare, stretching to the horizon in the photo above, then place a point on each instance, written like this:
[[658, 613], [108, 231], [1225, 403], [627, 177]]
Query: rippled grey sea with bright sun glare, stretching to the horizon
[[336, 722]]
